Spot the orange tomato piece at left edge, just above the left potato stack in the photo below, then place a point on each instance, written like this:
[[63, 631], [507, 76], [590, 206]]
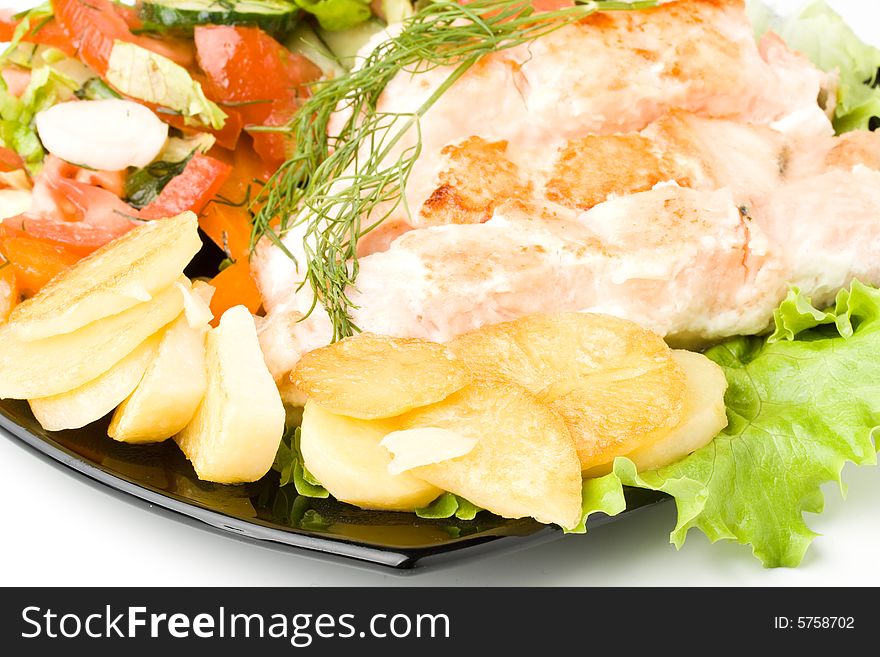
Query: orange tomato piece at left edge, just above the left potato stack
[[35, 262]]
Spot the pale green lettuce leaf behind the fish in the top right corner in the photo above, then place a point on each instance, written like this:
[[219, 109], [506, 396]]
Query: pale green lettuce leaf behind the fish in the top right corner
[[820, 33]]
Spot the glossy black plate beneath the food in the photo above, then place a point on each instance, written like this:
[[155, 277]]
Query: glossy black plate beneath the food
[[276, 516]]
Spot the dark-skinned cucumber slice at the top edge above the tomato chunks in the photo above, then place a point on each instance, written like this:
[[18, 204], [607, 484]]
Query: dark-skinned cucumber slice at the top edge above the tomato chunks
[[273, 16]]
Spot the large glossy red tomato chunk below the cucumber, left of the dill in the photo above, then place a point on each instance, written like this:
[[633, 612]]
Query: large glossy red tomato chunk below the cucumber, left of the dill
[[229, 55]]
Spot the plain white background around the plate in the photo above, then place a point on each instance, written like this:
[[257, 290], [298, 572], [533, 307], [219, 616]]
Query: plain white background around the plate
[[58, 530]]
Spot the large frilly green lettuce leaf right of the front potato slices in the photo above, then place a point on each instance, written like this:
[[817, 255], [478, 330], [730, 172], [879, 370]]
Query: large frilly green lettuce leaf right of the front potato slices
[[799, 408]]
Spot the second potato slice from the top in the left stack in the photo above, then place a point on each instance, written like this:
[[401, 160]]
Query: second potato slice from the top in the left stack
[[44, 368]]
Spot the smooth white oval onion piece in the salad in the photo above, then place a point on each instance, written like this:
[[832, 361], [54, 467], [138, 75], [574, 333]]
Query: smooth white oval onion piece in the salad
[[108, 135]]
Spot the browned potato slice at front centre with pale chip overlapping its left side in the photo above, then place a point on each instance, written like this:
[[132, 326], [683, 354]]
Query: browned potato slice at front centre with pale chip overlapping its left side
[[524, 463]]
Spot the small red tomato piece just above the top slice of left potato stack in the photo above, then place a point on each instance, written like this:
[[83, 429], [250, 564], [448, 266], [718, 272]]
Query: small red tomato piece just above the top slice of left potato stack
[[191, 190]]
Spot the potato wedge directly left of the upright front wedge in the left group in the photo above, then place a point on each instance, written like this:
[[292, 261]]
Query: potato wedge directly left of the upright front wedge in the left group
[[170, 391]]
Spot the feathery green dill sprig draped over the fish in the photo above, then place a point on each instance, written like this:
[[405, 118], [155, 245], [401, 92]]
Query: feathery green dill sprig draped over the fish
[[336, 188]]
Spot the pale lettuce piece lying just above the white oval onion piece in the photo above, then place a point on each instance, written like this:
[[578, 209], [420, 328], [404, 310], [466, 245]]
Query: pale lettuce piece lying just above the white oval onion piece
[[144, 75]]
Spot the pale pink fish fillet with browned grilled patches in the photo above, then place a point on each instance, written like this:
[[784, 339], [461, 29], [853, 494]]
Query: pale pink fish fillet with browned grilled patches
[[658, 166]]
